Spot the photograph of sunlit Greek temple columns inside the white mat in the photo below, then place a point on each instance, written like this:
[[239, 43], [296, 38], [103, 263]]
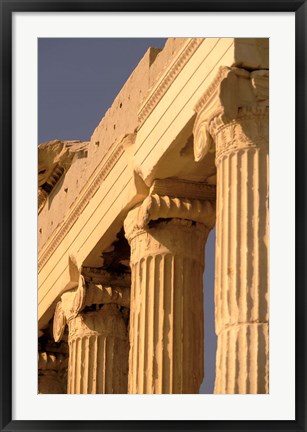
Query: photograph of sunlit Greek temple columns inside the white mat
[[153, 215]]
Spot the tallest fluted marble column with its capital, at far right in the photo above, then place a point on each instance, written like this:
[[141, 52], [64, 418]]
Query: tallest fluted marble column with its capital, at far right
[[233, 121]]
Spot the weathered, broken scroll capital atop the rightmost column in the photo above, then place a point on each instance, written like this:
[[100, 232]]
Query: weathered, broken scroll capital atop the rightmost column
[[237, 100]]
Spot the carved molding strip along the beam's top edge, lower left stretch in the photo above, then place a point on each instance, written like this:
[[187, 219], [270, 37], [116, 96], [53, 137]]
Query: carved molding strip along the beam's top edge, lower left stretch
[[102, 173]]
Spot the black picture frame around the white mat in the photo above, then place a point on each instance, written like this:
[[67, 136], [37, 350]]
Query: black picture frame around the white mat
[[7, 8]]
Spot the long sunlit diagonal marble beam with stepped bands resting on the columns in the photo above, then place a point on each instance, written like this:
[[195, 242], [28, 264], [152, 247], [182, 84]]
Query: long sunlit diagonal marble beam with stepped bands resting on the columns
[[161, 147]]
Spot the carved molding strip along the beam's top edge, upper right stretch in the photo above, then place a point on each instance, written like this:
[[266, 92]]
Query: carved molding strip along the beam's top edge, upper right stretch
[[160, 88]]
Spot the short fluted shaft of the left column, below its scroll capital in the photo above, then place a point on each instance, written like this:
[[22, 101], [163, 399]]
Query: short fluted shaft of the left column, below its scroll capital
[[98, 352]]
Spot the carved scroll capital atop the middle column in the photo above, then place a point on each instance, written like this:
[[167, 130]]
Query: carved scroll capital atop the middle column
[[172, 199]]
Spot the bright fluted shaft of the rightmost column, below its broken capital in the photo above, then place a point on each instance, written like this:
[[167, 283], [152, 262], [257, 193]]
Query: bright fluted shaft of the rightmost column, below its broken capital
[[241, 281]]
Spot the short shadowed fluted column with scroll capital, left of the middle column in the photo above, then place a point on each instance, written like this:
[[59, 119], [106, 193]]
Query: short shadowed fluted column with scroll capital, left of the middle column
[[98, 338]]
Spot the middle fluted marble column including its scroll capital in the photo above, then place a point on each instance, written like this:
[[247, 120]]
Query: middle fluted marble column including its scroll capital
[[167, 237]]
